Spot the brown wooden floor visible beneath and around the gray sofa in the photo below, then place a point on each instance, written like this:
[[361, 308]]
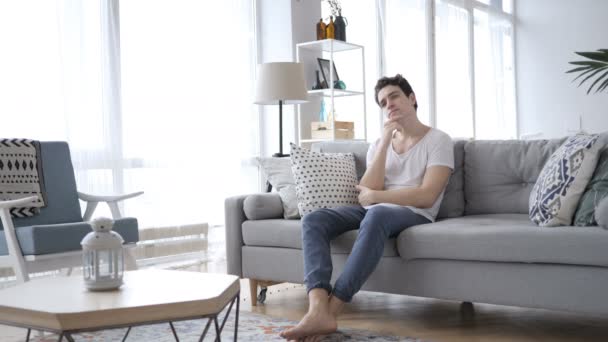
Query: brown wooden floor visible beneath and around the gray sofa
[[426, 319]]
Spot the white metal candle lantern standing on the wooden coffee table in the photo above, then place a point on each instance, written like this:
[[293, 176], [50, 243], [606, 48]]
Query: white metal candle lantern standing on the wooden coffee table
[[103, 259]]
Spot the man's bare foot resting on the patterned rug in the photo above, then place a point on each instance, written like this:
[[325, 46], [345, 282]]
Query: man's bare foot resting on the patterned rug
[[317, 322]]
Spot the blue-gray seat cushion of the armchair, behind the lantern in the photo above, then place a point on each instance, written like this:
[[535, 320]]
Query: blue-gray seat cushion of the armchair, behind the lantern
[[63, 237]]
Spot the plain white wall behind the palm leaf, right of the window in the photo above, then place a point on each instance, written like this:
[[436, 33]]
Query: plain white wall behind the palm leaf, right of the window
[[547, 34]]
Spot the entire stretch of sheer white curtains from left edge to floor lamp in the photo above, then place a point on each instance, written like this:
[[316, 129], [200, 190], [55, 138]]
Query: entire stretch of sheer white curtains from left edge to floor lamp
[[159, 101]]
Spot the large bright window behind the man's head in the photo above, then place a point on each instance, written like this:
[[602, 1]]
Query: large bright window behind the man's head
[[457, 54]]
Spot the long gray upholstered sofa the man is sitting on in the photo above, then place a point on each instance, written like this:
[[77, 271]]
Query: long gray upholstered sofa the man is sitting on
[[482, 248]]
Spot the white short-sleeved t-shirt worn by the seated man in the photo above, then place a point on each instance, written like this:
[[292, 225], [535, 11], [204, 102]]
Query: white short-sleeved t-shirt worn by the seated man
[[407, 170]]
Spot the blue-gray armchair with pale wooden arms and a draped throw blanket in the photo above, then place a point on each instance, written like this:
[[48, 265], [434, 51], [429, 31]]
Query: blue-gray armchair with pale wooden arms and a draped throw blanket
[[51, 239]]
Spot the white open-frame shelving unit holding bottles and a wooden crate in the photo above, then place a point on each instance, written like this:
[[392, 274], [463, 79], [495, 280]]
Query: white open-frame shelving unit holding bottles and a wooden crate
[[332, 46]]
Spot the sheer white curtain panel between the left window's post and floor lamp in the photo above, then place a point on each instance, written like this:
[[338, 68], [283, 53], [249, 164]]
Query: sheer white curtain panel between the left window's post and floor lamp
[[187, 71]]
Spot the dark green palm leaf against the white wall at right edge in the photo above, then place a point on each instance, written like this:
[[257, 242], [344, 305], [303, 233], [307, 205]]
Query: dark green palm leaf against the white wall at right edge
[[597, 61]]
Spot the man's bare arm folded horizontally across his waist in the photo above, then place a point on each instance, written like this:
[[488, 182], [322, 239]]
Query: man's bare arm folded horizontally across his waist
[[423, 196]]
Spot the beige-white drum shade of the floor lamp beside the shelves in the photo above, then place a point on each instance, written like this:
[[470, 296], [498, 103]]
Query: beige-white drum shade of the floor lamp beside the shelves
[[280, 81]]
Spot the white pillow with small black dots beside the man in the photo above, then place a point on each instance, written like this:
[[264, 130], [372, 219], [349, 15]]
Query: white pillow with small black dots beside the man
[[323, 180]]
